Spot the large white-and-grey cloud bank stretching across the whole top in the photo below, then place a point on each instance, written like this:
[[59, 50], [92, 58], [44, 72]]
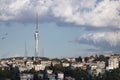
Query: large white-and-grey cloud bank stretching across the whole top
[[96, 13]]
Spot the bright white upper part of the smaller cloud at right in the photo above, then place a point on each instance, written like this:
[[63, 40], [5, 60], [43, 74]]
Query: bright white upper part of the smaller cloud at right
[[111, 38]]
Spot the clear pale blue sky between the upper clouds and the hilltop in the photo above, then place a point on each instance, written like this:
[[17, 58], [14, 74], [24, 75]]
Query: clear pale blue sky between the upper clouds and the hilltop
[[56, 41]]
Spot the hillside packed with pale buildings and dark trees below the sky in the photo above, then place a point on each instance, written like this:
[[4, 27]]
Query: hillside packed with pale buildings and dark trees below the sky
[[98, 67]]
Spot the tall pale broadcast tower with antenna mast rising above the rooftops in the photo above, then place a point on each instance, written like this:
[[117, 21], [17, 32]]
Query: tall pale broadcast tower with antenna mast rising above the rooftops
[[36, 39]]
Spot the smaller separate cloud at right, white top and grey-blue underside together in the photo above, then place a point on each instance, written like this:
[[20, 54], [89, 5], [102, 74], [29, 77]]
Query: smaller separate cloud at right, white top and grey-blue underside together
[[104, 41]]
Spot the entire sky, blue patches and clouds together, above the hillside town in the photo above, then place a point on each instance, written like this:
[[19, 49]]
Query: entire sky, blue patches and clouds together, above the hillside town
[[67, 28]]
